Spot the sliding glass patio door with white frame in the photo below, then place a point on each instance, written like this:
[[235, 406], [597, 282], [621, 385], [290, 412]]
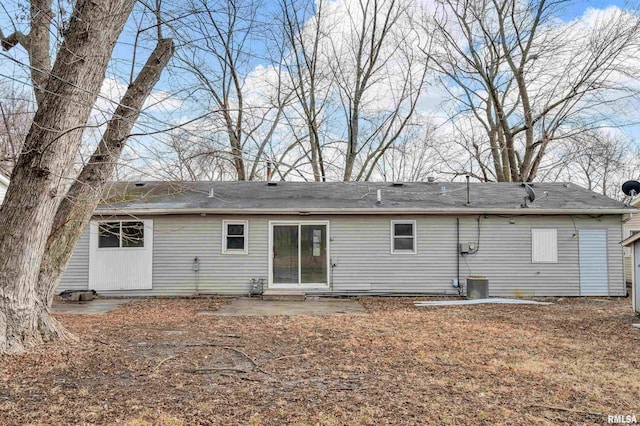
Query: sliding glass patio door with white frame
[[299, 254]]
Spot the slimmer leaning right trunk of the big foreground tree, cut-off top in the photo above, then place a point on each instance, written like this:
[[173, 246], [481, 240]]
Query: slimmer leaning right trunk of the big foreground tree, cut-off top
[[76, 208]]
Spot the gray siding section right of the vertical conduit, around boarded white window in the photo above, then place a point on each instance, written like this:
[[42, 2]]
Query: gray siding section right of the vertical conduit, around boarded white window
[[505, 255]]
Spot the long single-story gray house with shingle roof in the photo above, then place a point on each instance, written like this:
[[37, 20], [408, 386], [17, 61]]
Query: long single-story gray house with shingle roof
[[181, 238]]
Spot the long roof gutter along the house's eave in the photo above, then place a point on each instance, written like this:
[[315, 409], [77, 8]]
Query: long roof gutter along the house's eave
[[377, 211]]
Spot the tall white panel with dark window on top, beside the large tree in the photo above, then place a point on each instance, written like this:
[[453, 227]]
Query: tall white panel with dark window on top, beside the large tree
[[120, 255]]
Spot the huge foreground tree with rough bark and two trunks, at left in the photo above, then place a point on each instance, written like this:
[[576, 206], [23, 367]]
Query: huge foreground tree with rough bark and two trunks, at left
[[33, 258]]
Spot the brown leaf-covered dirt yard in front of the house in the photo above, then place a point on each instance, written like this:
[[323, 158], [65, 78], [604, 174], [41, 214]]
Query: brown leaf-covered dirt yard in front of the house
[[158, 362]]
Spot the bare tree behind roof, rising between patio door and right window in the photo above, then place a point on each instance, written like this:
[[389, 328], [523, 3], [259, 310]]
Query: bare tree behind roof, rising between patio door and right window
[[378, 78]]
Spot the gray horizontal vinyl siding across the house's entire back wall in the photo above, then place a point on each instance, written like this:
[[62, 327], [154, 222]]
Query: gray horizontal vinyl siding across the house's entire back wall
[[360, 247]]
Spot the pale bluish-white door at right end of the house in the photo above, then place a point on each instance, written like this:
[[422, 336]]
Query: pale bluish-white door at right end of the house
[[594, 275]]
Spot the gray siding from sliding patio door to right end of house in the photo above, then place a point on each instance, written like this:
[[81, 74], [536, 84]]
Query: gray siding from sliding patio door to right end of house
[[362, 248]]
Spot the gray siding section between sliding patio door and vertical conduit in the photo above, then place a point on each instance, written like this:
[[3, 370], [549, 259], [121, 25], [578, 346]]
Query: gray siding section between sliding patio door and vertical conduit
[[361, 250]]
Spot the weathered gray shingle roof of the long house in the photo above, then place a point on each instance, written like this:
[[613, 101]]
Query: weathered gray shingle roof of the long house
[[313, 197]]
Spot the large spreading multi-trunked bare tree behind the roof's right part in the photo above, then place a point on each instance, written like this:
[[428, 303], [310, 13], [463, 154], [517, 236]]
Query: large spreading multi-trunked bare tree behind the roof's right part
[[527, 79]]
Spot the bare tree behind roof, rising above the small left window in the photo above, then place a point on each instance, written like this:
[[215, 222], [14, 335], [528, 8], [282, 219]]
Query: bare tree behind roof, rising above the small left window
[[220, 53]]
